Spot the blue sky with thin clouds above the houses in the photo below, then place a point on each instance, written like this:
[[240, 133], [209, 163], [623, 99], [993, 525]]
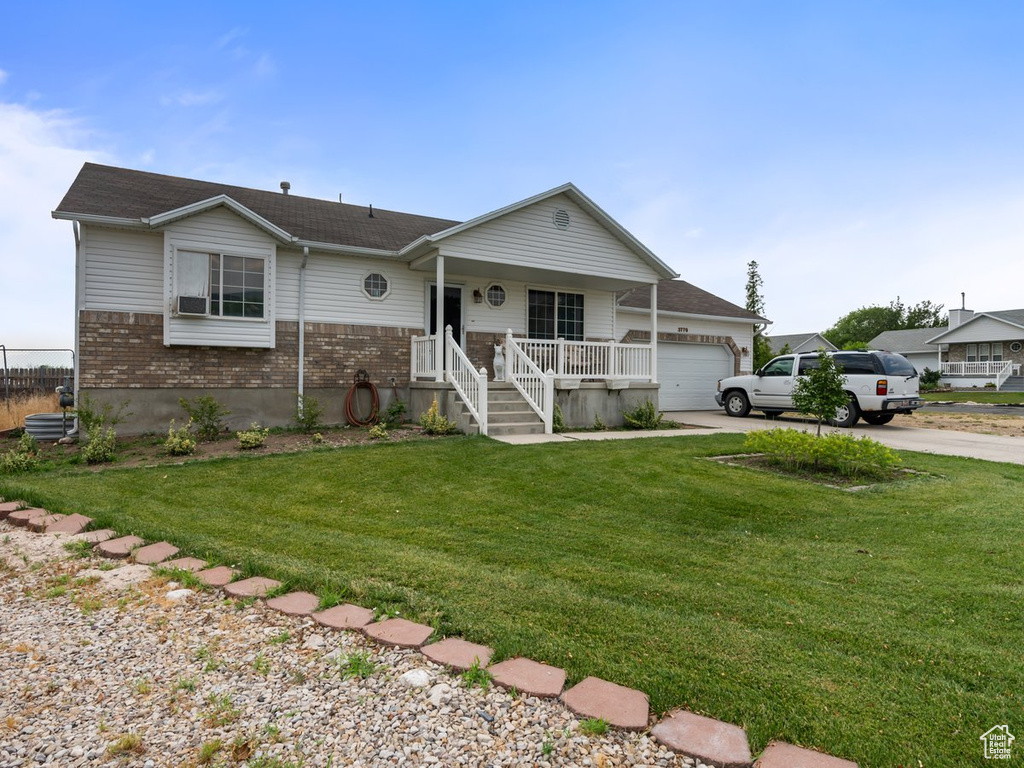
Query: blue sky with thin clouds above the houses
[[859, 152]]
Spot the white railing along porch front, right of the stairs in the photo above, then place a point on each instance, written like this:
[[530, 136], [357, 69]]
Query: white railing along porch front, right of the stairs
[[590, 360]]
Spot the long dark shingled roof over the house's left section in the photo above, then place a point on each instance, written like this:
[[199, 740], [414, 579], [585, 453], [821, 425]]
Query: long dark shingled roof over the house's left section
[[120, 193]]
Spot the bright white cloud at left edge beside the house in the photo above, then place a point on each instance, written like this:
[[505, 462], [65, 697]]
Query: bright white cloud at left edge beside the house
[[40, 154]]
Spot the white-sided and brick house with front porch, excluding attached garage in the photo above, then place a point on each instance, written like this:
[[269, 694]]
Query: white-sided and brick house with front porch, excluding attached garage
[[187, 288]]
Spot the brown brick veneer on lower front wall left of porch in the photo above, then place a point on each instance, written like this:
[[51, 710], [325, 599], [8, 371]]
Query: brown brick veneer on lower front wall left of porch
[[126, 351]]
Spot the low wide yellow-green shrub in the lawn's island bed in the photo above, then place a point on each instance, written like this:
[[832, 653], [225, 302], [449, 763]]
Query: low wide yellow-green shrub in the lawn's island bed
[[838, 453]]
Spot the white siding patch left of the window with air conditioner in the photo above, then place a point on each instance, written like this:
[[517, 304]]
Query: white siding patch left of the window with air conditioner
[[124, 271]]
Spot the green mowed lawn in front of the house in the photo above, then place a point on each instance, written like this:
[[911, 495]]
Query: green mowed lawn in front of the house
[[883, 626]]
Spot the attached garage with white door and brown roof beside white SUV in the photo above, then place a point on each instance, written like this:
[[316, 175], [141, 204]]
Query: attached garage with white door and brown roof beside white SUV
[[701, 339]]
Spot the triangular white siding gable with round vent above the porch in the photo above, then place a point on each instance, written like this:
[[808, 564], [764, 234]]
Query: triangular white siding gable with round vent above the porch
[[529, 239]]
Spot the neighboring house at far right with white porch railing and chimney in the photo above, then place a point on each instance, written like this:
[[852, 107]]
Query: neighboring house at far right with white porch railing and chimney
[[983, 349]]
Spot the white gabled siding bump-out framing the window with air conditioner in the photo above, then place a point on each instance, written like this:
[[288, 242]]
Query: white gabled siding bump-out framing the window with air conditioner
[[221, 232]]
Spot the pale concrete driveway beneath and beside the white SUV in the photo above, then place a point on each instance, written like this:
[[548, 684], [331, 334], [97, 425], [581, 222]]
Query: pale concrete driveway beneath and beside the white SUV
[[990, 448]]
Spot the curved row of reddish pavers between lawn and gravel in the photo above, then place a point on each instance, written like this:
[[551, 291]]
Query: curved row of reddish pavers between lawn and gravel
[[723, 745]]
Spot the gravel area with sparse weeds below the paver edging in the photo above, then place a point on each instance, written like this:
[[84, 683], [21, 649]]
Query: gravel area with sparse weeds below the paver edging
[[106, 665]]
